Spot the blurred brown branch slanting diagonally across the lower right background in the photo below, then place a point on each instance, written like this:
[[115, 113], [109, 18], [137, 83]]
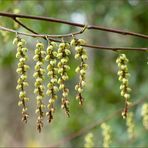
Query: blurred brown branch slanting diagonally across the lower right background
[[94, 125]]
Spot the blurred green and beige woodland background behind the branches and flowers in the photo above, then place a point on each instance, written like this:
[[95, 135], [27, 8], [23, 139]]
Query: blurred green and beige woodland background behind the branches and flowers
[[102, 96]]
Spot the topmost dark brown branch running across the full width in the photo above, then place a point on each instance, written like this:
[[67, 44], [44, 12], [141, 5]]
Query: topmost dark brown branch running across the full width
[[49, 19]]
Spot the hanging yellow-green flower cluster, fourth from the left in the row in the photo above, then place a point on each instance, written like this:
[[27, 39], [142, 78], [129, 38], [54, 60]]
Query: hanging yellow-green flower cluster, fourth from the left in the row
[[63, 67]]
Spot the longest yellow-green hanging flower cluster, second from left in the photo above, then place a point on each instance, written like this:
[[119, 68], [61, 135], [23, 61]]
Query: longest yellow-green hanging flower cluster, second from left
[[39, 87]]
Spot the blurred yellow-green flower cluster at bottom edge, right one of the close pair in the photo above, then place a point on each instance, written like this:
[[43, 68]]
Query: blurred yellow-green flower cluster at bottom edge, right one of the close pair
[[106, 133]]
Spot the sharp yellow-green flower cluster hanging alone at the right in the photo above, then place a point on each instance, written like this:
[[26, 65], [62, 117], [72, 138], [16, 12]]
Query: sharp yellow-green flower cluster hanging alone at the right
[[123, 78]]
